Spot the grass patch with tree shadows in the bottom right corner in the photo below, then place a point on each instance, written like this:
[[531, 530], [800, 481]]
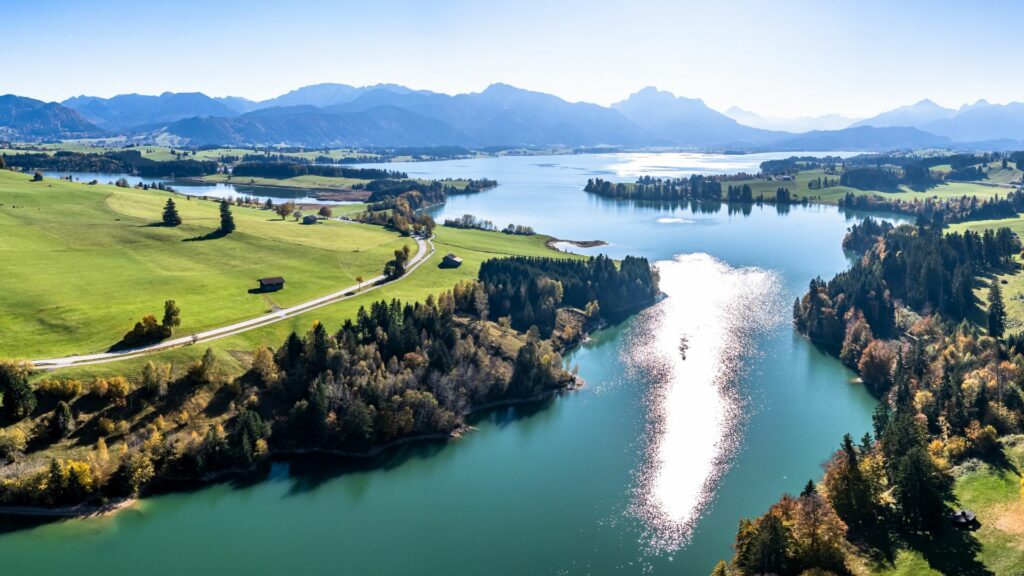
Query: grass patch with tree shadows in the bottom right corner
[[993, 490]]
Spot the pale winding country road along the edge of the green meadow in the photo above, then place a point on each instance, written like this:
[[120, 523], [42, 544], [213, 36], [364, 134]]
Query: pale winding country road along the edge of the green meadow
[[425, 249]]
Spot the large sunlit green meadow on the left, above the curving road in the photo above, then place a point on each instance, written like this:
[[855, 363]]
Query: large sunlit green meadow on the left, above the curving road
[[82, 264]]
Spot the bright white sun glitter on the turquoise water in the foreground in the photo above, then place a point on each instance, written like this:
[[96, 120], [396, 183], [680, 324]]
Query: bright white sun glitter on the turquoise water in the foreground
[[694, 345]]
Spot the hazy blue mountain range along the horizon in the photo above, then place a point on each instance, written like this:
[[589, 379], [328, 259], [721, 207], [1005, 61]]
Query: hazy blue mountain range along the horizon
[[390, 115]]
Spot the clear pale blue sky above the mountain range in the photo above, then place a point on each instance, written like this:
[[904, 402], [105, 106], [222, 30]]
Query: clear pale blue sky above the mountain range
[[780, 58]]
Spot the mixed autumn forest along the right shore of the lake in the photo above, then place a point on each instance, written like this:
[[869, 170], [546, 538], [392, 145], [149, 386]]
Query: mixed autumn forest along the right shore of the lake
[[906, 317]]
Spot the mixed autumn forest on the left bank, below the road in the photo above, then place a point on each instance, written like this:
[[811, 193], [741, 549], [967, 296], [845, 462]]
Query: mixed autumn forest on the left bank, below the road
[[397, 373]]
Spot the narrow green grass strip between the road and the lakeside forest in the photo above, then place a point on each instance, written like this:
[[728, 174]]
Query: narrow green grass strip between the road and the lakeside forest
[[474, 246]]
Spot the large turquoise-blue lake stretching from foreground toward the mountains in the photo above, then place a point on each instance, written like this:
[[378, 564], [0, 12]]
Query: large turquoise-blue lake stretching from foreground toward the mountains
[[698, 412]]
